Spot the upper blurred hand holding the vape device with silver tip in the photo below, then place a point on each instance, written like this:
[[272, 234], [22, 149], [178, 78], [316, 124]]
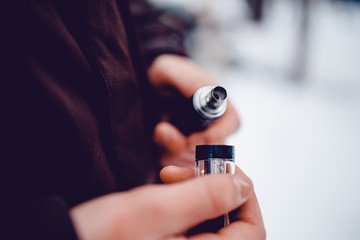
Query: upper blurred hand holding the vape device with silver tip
[[184, 76]]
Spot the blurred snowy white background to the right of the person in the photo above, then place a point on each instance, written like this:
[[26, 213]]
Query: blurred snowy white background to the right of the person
[[294, 78]]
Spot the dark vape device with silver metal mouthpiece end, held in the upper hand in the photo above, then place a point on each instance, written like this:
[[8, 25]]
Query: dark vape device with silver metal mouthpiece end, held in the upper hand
[[206, 105]]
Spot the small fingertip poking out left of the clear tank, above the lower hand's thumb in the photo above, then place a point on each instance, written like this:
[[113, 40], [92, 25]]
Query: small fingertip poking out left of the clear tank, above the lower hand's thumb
[[173, 174]]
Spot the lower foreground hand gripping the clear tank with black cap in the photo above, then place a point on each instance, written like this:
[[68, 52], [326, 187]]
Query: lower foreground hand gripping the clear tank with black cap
[[164, 212]]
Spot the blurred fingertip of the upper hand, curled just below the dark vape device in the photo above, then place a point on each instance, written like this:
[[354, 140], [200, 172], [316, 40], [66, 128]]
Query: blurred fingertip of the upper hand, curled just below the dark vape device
[[169, 137]]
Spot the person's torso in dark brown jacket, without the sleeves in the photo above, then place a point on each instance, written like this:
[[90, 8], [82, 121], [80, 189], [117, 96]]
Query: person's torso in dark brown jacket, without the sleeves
[[79, 99]]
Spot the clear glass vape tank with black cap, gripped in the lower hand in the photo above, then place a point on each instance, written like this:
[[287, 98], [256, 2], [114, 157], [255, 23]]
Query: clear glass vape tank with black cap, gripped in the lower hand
[[215, 159]]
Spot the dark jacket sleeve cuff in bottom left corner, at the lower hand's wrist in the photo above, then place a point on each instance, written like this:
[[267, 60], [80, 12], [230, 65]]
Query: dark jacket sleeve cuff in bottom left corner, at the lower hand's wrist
[[43, 218]]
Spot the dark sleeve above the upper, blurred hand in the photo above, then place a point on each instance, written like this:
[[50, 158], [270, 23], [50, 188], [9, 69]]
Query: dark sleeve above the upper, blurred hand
[[160, 31]]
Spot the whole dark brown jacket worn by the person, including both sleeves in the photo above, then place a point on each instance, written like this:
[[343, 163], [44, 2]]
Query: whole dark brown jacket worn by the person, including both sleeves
[[77, 117]]
